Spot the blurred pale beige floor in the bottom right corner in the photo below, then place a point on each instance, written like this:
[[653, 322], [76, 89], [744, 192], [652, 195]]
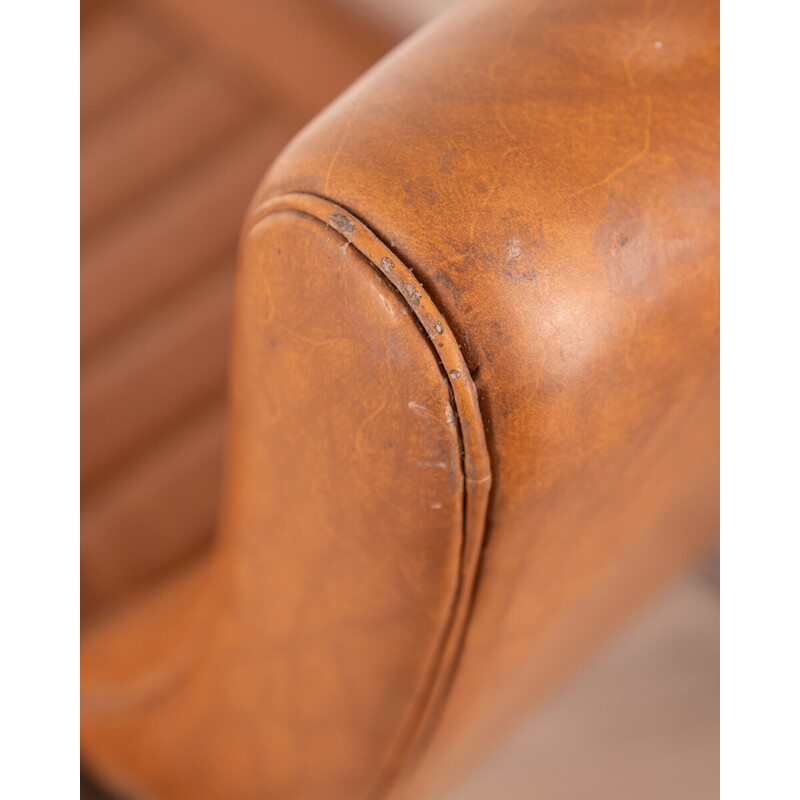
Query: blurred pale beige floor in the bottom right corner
[[641, 720]]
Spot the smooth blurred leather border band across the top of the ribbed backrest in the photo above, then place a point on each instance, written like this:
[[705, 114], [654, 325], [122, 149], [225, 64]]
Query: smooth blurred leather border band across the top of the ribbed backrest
[[305, 51]]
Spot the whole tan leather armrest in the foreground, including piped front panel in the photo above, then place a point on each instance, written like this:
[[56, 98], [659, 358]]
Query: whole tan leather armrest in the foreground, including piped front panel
[[548, 173]]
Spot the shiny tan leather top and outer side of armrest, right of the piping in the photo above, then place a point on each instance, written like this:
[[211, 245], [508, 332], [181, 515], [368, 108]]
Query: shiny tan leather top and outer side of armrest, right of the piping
[[557, 192]]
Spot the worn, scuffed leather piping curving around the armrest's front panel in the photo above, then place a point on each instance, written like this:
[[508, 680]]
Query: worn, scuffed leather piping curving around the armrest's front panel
[[416, 728]]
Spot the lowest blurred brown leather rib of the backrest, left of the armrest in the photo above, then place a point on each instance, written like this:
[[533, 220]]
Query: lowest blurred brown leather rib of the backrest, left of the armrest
[[159, 511]]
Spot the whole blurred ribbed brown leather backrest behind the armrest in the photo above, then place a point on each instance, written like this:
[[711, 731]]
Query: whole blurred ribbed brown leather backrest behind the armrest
[[176, 129]]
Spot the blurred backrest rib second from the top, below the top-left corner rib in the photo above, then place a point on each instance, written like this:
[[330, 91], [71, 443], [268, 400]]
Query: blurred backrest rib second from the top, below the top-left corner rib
[[156, 132]]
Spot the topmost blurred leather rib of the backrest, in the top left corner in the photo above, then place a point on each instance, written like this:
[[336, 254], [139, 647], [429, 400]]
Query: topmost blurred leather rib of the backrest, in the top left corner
[[117, 53]]
